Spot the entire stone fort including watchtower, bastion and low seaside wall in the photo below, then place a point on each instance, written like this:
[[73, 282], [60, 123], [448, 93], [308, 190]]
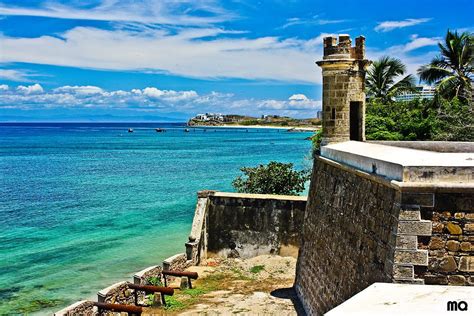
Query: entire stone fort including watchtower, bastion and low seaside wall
[[394, 212]]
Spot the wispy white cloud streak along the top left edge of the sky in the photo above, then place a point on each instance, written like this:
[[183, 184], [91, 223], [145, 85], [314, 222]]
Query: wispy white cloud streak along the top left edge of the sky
[[166, 12]]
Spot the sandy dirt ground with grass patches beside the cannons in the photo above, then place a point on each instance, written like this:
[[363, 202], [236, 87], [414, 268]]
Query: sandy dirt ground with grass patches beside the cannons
[[255, 286]]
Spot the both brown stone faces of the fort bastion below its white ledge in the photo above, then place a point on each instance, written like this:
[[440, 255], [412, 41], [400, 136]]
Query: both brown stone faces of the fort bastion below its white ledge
[[361, 228]]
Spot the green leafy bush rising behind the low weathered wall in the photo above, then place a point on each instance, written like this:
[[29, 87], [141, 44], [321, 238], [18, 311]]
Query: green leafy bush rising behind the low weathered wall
[[274, 178]]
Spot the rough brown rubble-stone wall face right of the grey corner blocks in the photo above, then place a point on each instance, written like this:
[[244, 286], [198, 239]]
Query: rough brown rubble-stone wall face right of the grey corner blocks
[[451, 245]]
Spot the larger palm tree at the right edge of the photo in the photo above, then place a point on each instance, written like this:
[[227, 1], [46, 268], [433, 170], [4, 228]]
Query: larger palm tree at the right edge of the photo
[[453, 70]]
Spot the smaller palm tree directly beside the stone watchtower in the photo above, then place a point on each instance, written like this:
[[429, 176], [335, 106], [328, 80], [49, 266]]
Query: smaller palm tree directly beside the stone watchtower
[[381, 79]]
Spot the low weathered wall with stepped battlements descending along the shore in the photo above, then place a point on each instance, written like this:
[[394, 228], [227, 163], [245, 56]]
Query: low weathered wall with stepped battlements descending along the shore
[[225, 225]]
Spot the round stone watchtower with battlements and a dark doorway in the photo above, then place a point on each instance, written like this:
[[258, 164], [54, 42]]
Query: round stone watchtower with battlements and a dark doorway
[[344, 69]]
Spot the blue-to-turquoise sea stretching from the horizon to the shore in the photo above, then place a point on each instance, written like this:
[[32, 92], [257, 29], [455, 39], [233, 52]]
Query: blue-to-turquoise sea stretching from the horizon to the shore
[[85, 205]]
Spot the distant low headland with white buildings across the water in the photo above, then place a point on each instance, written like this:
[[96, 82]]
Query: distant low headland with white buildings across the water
[[273, 121]]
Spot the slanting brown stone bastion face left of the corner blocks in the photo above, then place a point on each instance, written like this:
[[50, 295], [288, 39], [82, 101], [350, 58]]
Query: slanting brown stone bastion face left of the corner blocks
[[349, 236]]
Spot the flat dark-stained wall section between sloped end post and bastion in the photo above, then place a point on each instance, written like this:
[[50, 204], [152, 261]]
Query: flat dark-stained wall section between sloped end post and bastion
[[248, 225]]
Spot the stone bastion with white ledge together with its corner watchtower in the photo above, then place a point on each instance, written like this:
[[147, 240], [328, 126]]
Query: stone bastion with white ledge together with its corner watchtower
[[398, 212]]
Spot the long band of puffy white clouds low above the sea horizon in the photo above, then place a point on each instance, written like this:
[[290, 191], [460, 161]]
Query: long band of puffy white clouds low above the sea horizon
[[153, 99]]
